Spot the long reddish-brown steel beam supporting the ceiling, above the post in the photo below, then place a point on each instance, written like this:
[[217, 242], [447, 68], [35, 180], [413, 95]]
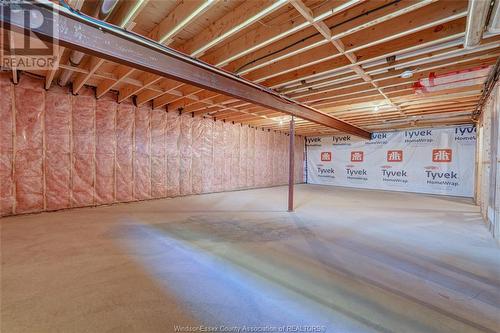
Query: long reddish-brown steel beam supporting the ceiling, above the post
[[109, 43]]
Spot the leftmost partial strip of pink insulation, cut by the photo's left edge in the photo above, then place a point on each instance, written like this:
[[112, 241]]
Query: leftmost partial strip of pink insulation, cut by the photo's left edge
[[6, 147]]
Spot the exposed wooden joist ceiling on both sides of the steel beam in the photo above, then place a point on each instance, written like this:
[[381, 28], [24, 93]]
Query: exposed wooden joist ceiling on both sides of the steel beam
[[343, 57]]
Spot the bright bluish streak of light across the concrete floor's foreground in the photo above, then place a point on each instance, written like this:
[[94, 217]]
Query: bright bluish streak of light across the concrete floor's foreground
[[217, 292]]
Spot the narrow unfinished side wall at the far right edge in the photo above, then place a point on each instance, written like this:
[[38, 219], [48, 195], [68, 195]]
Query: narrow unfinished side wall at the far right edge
[[488, 159]]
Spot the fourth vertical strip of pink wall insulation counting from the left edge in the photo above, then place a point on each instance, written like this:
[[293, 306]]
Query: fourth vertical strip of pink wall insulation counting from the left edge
[[83, 122]]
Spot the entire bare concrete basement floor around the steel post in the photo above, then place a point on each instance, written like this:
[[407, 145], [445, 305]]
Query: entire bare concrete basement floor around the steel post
[[347, 261]]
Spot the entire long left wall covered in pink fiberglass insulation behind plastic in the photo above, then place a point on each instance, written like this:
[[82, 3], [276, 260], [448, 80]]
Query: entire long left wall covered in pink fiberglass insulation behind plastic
[[60, 151]]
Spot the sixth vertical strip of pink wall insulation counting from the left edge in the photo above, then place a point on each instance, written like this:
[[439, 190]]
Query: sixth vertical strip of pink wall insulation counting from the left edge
[[124, 152]]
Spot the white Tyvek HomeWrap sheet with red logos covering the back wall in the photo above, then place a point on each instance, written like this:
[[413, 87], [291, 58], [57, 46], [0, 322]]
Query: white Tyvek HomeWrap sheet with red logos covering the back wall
[[426, 160]]
